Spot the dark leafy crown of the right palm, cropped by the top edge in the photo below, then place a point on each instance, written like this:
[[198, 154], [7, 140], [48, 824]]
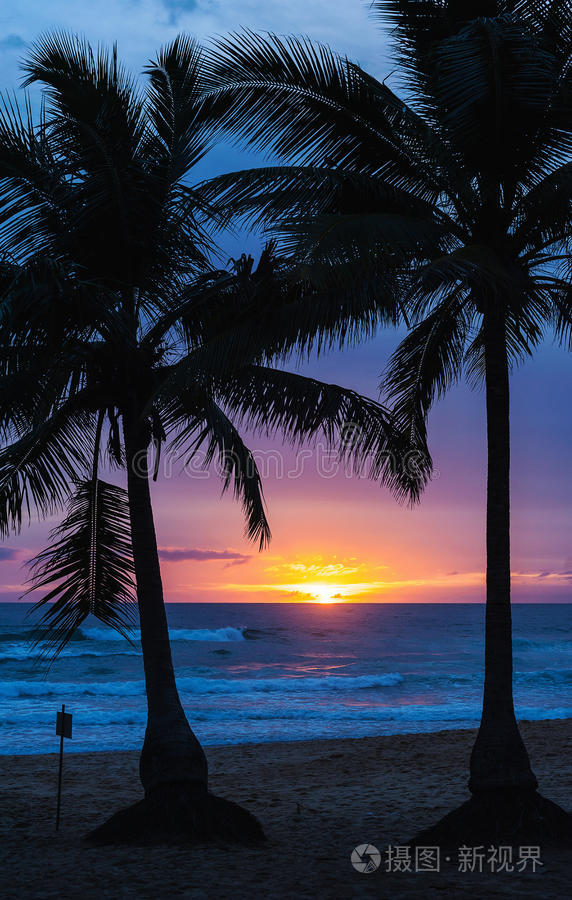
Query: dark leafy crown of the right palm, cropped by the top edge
[[426, 204]]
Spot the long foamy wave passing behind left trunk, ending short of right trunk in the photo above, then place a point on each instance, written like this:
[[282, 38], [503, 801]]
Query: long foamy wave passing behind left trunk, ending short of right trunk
[[200, 685]]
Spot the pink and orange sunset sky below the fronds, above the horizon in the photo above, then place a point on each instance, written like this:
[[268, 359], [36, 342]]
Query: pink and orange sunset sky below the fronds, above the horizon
[[346, 538]]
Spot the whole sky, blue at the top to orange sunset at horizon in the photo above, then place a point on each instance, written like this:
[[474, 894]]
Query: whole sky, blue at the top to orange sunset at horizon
[[335, 536]]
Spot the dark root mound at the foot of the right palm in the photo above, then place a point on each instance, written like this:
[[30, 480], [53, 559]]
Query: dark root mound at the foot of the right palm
[[511, 817]]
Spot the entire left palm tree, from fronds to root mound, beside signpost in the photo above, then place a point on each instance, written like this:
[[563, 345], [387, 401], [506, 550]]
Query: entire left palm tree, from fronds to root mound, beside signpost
[[117, 339]]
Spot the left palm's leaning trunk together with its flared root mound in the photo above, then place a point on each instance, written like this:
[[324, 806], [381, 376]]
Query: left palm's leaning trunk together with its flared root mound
[[173, 766]]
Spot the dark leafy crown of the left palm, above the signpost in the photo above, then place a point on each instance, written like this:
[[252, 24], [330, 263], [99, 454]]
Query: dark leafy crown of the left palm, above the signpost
[[110, 299]]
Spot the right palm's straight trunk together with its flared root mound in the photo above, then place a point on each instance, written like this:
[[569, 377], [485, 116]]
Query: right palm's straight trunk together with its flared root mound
[[505, 807]]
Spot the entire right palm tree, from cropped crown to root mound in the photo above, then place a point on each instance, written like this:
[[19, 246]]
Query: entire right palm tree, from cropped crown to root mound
[[448, 206]]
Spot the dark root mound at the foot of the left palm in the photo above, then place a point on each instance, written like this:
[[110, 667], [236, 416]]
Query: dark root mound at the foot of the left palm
[[178, 813]]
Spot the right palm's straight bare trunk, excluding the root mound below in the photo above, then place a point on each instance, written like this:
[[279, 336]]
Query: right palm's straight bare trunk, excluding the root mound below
[[499, 758]]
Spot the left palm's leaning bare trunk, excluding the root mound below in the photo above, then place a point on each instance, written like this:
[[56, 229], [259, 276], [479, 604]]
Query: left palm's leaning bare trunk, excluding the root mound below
[[171, 752]]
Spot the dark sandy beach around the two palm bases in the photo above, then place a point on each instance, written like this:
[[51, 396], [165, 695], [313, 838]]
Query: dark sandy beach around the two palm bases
[[316, 799]]
